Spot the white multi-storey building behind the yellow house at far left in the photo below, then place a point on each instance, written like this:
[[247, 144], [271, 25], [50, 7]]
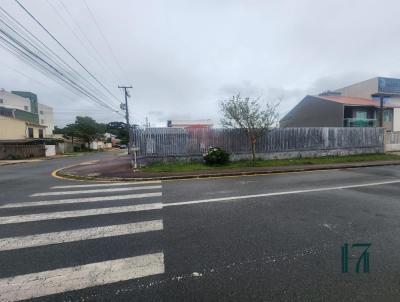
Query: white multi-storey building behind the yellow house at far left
[[43, 114]]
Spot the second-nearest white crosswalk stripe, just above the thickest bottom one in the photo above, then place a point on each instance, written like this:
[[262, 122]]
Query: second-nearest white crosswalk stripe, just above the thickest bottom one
[[20, 242]]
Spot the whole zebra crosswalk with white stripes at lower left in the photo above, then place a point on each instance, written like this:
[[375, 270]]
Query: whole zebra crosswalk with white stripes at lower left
[[96, 201]]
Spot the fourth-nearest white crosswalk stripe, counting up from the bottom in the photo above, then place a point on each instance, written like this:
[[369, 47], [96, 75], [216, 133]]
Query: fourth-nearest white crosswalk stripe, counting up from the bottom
[[78, 200]]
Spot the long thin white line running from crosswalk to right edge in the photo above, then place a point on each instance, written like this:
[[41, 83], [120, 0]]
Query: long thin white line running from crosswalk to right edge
[[240, 197]]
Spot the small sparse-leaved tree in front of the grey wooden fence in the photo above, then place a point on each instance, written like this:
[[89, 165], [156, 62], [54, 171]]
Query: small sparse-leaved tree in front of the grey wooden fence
[[254, 118]]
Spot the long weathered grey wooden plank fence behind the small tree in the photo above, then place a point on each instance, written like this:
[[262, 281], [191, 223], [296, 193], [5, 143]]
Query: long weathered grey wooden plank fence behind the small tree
[[163, 142]]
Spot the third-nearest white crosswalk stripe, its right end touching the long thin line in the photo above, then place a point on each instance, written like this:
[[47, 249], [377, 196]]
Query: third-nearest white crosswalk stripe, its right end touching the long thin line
[[79, 213]]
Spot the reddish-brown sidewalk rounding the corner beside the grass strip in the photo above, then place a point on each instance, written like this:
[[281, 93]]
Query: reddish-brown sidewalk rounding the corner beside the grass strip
[[119, 169]]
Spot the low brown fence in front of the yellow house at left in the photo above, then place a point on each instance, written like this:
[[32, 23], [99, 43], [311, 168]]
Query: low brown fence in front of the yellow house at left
[[21, 151]]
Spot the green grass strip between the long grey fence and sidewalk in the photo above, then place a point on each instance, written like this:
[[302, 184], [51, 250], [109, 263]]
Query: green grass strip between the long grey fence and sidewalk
[[194, 166]]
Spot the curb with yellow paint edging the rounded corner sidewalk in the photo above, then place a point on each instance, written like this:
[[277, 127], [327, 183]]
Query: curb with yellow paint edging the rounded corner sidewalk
[[63, 175]]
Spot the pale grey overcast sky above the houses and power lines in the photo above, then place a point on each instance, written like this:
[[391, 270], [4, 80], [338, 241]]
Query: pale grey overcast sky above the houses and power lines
[[182, 57]]
